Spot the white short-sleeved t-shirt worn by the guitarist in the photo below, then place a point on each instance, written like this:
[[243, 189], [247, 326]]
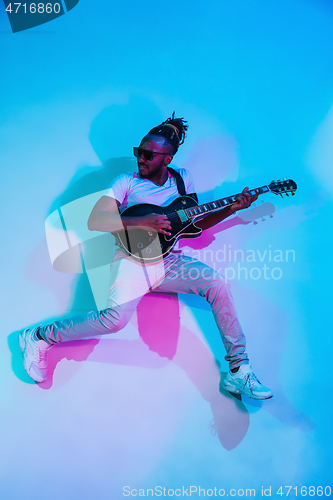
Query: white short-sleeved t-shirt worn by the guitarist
[[129, 189]]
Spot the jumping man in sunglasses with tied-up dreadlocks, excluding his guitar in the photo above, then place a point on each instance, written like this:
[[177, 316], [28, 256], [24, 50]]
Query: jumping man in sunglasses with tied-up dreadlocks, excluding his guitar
[[153, 183]]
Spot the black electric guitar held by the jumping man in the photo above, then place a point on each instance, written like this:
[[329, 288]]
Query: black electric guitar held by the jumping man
[[150, 246]]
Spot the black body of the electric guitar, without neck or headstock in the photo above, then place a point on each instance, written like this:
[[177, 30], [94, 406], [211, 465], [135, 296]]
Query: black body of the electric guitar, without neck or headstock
[[151, 246]]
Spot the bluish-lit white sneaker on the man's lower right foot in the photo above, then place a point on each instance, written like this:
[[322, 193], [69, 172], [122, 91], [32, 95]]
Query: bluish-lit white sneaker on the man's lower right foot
[[245, 382]]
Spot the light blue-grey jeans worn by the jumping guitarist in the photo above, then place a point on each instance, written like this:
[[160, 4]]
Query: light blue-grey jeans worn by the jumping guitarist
[[131, 280]]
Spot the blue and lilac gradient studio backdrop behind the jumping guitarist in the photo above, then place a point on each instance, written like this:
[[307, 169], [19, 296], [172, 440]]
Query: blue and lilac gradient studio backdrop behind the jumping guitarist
[[254, 80]]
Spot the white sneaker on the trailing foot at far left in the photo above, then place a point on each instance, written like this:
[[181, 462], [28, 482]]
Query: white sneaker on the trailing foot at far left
[[34, 354]]
